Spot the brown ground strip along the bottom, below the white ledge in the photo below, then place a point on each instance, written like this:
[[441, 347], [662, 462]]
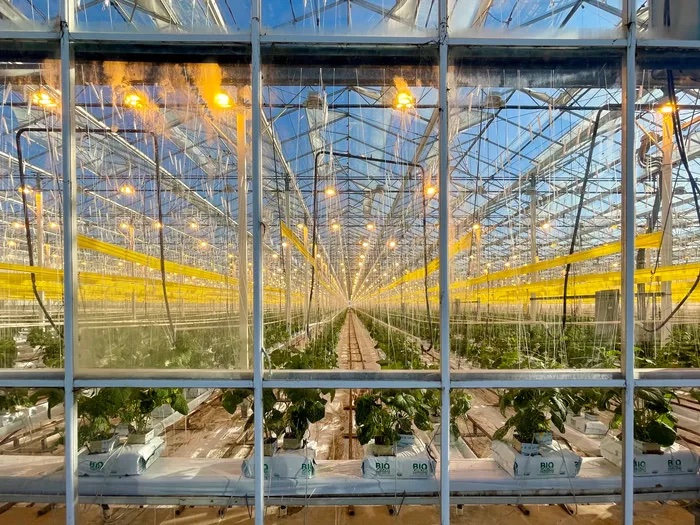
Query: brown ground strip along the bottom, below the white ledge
[[645, 514]]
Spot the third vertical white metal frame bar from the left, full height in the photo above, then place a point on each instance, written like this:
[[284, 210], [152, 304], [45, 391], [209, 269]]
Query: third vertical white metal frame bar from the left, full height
[[444, 222]]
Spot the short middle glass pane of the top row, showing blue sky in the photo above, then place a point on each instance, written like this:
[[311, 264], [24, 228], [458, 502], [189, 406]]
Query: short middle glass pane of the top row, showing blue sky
[[355, 17]]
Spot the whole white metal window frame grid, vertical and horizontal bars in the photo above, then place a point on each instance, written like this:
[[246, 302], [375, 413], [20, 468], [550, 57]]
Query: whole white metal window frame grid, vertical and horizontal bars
[[71, 379]]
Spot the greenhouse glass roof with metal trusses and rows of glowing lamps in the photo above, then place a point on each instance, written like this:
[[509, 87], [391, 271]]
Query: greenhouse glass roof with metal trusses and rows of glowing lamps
[[357, 162]]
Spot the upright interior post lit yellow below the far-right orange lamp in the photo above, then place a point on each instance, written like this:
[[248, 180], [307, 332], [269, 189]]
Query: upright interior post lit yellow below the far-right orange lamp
[[666, 222]]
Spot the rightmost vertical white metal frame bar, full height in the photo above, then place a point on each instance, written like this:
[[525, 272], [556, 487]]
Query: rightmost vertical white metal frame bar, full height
[[628, 259]]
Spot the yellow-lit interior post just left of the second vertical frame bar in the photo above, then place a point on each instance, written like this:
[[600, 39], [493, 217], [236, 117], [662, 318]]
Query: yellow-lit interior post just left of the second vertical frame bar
[[242, 238]]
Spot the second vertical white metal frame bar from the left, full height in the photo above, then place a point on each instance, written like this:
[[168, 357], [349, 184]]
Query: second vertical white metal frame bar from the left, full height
[[256, 150]]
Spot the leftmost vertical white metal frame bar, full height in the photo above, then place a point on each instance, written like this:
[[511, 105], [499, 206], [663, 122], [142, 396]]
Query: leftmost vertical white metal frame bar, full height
[[70, 259]]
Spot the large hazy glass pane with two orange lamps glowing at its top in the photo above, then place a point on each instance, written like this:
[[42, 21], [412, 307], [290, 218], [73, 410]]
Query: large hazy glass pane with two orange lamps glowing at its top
[[158, 150]]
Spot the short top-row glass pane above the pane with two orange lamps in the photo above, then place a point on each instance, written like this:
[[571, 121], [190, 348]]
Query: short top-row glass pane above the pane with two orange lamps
[[158, 16]]
